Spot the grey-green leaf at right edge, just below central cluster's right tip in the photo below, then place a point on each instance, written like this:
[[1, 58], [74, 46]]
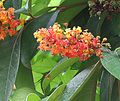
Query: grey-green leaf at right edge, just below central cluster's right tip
[[111, 63]]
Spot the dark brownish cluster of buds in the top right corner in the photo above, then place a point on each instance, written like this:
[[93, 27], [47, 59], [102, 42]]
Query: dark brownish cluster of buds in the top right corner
[[99, 6]]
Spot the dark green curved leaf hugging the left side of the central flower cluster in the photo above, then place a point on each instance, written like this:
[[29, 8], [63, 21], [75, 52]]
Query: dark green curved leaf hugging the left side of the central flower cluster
[[29, 46]]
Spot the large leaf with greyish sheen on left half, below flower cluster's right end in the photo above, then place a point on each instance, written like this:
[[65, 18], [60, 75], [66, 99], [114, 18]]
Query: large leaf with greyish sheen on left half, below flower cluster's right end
[[82, 86]]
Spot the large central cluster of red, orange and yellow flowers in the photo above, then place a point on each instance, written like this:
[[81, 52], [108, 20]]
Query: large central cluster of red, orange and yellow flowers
[[69, 42]]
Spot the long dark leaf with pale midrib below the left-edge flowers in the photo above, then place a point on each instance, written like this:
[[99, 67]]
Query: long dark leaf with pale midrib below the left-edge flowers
[[9, 63]]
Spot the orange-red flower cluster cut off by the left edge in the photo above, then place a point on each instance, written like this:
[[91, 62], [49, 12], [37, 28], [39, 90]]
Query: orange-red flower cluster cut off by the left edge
[[8, 24]]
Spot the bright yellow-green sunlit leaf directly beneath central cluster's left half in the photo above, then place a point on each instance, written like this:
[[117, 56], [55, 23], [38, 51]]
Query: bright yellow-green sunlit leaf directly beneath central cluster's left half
[[40, 62]]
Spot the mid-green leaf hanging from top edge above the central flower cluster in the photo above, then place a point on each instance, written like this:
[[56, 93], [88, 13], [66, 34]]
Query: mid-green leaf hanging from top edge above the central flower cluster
[[72, 8]]
